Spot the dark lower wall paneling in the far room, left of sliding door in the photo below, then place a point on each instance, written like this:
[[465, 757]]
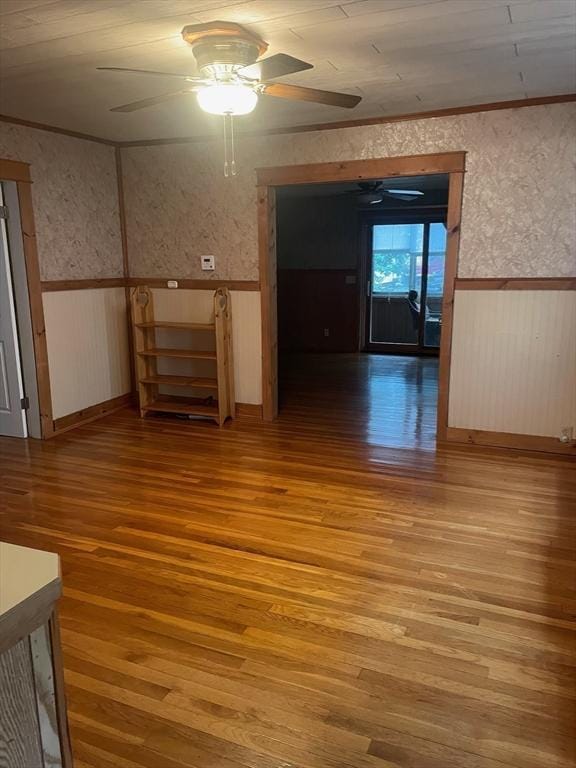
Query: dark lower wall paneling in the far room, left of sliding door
[[310, 300]]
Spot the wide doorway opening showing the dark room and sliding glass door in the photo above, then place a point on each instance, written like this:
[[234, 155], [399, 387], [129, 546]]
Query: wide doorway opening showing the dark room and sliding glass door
[[360, 274]]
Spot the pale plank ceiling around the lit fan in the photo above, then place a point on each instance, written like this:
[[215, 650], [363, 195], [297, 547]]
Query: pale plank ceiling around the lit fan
[[400, 55]]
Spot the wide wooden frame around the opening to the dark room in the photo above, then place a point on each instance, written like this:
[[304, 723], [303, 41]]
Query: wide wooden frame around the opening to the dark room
[[451, 163]]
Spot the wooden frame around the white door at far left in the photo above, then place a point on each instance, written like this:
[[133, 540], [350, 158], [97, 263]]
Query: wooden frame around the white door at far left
[[11, 170]]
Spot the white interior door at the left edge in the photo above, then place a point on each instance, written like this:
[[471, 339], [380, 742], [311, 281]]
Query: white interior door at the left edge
[[12, 414]]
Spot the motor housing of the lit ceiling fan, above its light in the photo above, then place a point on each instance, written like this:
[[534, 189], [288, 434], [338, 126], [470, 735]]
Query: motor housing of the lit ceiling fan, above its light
[[221, 48]]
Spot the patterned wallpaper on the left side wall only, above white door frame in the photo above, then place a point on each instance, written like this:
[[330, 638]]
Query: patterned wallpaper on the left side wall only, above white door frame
[[75, 202]]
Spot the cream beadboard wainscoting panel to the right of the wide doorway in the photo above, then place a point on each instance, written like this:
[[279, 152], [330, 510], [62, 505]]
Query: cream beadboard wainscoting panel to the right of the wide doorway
[[513, 367]]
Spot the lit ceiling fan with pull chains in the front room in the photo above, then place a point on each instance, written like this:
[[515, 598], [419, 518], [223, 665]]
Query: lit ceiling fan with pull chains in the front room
[[232, 76]]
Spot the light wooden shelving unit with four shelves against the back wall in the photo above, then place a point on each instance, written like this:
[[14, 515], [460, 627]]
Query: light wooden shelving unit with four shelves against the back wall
[[201, 395]]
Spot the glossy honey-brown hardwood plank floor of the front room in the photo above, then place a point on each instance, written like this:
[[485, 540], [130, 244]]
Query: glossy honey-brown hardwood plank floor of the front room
[[294, 595]]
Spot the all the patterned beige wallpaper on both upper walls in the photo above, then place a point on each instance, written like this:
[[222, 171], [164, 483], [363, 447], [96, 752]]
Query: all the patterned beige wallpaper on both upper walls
[[519, 214]]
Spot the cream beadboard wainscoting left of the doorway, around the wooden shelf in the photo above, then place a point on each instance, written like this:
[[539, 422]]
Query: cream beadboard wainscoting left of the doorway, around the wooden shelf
[[89, 347]]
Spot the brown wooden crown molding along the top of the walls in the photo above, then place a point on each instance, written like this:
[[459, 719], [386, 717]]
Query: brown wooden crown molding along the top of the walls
[[361, 122]]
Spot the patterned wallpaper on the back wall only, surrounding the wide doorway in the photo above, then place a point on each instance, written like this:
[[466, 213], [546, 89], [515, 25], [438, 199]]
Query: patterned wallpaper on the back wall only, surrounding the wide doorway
[[519, 211]]
